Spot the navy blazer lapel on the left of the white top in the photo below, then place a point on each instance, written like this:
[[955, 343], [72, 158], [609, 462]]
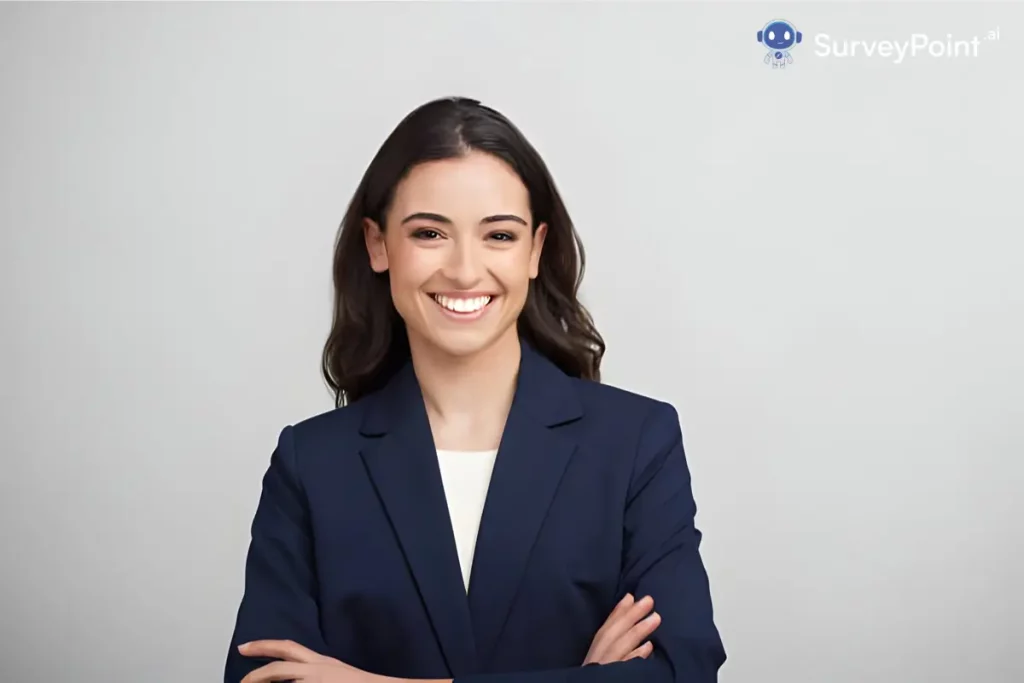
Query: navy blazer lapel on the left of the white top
[[403, 464]]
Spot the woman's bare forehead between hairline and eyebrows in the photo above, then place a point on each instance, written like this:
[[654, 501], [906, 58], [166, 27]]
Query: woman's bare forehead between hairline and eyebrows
[[477, 183]]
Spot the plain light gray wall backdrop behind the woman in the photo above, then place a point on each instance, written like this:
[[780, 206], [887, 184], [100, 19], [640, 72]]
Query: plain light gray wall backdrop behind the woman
[[821, 268]]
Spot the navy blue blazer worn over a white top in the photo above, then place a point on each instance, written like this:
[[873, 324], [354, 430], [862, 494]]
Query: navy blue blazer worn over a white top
[[353, 552]]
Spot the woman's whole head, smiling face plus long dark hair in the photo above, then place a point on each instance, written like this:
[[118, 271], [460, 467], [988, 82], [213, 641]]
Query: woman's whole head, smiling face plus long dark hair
[[456, 203]]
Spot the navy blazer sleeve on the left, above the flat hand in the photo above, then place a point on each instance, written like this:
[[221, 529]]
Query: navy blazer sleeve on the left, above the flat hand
[[280, 596]]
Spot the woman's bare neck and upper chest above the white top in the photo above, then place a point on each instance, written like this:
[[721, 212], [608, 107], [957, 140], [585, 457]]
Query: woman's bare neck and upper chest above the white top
[[468, 398]]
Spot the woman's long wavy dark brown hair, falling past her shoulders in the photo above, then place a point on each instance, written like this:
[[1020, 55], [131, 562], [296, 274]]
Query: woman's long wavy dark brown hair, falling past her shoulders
[[368, 343]]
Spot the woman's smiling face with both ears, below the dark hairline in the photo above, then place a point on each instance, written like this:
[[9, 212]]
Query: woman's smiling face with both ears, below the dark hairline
[[460, 252]]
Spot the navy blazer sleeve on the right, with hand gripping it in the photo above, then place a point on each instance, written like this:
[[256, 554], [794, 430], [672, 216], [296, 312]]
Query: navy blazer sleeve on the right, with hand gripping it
[[661, 560]]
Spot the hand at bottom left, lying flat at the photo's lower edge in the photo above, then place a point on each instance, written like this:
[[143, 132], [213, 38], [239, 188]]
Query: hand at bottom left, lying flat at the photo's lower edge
[[302, 665]]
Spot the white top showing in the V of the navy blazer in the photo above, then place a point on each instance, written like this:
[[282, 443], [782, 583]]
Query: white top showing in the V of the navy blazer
[[466, 476]]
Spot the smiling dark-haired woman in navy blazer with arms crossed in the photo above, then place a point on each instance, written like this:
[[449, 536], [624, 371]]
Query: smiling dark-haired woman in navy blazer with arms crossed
[[466, 370]]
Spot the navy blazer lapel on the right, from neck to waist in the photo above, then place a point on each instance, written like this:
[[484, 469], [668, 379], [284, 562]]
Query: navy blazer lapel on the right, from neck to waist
[[532, 459]]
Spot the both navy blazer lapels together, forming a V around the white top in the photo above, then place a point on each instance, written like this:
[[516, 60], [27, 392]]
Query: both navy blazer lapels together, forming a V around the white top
[[533, 456]]
